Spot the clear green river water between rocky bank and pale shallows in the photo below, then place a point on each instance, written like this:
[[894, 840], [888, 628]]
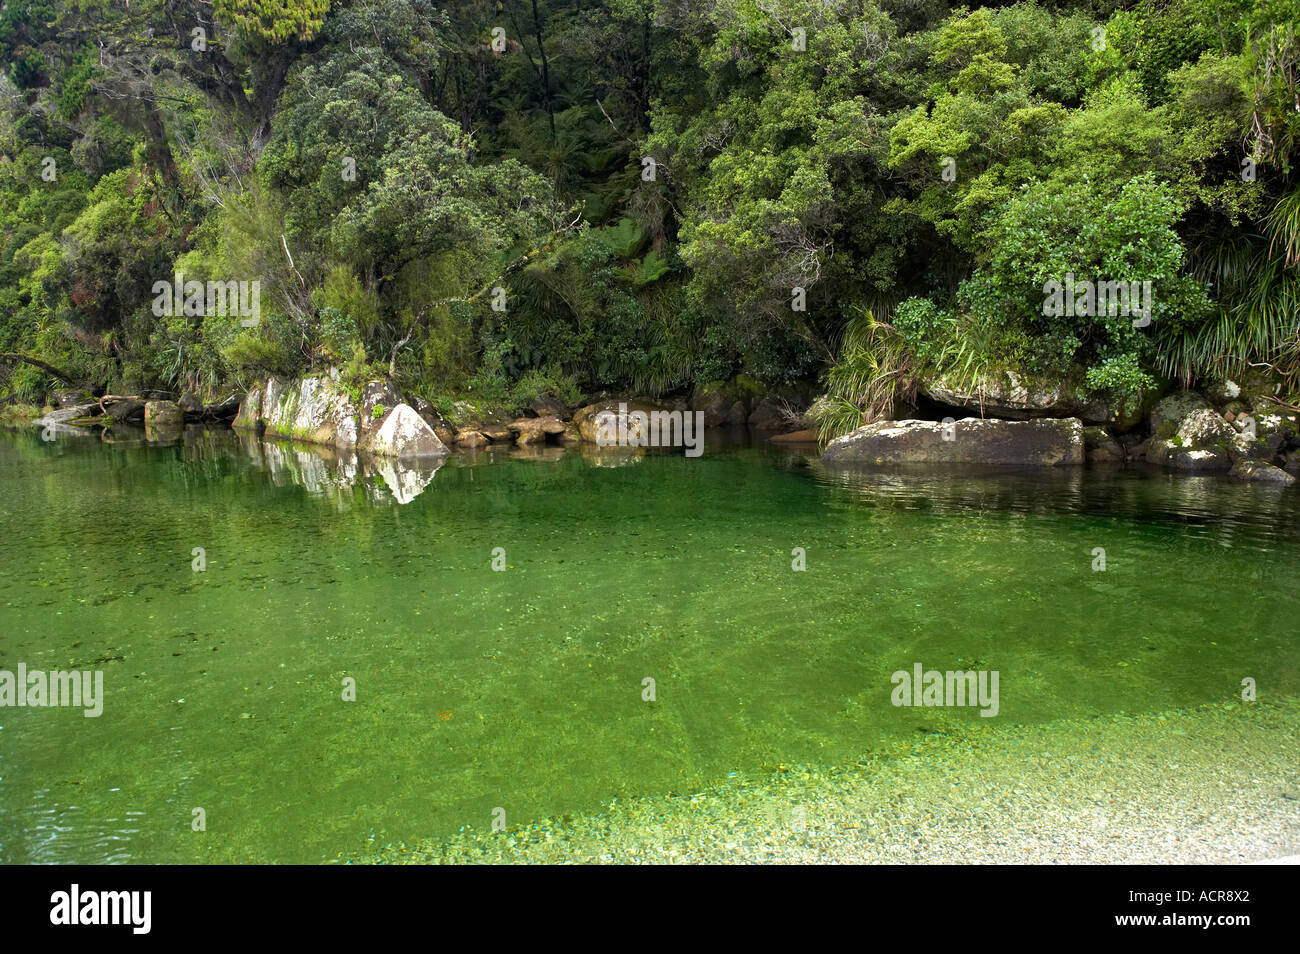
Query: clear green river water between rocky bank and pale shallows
[[523, 690]]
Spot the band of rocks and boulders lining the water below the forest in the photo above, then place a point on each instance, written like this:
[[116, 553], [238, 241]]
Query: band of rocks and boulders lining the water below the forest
[[1249, 432]]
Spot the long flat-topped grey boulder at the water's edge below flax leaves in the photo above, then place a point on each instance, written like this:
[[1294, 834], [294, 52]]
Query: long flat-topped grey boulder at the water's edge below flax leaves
[[1045, 443]]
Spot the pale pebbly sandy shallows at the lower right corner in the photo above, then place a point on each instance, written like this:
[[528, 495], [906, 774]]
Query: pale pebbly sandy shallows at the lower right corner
[[1208, 786]]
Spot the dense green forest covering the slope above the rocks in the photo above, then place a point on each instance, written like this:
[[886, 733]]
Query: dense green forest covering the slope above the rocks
[[500, 201]]
